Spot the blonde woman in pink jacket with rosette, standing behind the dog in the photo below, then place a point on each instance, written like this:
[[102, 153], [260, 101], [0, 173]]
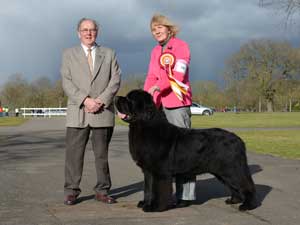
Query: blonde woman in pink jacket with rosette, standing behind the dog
[[168, 82]]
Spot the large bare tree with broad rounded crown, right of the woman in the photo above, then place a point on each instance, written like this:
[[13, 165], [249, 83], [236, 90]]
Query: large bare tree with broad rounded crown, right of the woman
[[260, 64]]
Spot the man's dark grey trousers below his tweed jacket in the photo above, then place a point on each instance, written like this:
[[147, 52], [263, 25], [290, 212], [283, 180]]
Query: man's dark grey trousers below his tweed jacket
[[76, 140]]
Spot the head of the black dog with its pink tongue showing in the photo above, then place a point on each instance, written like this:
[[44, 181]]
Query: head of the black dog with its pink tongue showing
[[136, 105]]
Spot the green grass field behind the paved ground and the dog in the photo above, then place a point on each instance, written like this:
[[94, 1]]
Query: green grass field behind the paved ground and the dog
[[267, 133]]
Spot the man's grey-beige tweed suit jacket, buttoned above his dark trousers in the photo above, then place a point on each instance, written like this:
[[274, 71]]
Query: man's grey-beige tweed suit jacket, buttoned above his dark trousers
[[79, 83]]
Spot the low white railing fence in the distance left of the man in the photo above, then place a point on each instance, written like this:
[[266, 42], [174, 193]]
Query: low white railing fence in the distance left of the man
[[43, 112]]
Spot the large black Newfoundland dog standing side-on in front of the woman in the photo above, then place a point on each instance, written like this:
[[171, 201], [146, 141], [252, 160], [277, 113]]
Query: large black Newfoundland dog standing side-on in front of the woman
[[163, 150]]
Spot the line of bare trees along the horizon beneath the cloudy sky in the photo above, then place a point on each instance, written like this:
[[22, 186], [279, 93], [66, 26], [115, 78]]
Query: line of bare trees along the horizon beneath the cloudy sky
[[262, 76]]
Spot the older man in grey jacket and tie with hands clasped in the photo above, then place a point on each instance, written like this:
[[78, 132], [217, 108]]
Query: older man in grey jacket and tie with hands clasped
[[91, 78]]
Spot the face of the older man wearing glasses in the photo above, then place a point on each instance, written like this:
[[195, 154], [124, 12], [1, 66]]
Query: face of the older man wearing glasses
[[87, 33]]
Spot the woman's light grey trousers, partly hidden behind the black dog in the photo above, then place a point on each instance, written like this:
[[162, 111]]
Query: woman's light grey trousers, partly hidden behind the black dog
[[185, 185]]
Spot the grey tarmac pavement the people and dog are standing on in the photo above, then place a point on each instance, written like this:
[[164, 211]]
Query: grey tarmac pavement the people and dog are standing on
[[31, 185]]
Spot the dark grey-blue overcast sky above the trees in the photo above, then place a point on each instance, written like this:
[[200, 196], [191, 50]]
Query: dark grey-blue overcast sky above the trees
[[34, 32]]
